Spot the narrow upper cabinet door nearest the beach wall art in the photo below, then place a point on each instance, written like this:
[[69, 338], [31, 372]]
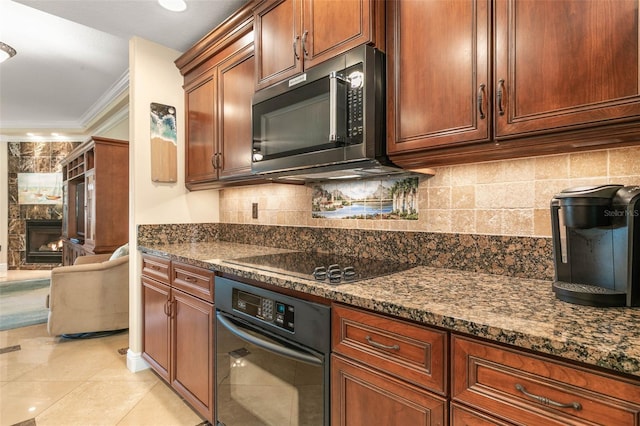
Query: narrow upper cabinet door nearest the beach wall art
[[200, 147]]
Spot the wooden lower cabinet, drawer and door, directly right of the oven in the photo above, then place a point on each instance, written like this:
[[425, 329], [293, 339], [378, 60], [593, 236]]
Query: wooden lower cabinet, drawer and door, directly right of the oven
[[386, 371]]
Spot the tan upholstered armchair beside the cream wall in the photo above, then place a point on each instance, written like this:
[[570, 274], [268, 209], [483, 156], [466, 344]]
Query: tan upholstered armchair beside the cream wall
[[92, 295]]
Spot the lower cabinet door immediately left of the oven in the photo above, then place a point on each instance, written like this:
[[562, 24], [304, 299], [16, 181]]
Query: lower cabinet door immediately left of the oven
[[192, 336]]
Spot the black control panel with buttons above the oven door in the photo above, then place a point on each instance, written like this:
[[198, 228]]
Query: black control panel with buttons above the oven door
[[277, 313]]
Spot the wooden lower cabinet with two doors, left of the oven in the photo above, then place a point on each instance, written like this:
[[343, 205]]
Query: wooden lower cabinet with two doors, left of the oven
[[178, 330]]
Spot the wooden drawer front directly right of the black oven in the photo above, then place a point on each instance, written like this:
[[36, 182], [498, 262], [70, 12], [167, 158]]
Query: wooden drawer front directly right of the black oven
[[413, 353]]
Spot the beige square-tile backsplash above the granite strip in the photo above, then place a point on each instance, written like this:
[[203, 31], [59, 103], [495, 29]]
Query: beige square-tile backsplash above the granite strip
[[503, 198]]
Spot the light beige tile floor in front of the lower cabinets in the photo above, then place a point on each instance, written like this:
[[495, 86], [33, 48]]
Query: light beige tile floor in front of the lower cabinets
[[47, 380]]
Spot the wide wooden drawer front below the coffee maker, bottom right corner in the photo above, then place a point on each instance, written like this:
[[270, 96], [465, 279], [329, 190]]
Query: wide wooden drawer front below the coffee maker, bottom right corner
[[531, 390]]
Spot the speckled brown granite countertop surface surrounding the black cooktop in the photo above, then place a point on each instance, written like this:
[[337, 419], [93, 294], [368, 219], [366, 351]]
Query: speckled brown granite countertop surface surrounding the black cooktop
[[516, 311]]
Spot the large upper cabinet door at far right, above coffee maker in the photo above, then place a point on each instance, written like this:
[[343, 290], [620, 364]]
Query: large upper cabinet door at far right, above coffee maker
[[566, 63]]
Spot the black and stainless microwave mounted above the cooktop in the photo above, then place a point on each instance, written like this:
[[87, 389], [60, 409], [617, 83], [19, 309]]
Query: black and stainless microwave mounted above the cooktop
[[328, 122]]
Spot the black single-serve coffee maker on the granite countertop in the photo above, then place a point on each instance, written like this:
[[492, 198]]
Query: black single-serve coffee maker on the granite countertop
[[596, 245]]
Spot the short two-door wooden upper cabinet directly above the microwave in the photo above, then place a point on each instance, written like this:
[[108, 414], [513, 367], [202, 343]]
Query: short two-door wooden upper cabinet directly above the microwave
[[293, 35]]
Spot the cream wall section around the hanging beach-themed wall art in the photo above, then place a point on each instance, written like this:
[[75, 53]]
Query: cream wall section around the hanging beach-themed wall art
[[153, 77]]
